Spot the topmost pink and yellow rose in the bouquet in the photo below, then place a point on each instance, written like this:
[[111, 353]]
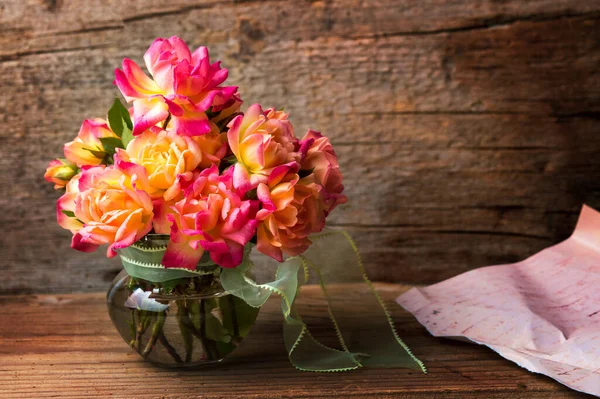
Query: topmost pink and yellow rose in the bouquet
[[184, 86]]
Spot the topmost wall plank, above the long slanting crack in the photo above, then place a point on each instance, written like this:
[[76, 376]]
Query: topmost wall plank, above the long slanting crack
[[47, 26]]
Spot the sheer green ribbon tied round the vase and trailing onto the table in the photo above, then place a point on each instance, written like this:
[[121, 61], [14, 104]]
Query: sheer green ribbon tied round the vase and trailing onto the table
[[332, 258]]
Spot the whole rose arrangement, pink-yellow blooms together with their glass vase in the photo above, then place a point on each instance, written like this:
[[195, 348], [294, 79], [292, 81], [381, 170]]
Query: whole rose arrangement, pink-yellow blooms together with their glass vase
[[182, 184]]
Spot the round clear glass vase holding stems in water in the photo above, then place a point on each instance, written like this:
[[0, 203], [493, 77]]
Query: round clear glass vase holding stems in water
[[183, 322]]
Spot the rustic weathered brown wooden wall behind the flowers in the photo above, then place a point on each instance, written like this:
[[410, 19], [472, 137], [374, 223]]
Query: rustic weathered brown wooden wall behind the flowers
[[467, 129]]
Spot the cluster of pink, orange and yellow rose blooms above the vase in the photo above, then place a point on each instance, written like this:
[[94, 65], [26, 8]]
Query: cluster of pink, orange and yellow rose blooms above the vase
[[184, 161]]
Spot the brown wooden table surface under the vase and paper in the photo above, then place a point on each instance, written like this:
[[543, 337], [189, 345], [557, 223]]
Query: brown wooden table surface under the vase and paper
[[65, 346]]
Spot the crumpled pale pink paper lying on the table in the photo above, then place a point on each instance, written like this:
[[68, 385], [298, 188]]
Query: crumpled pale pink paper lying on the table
[[542, 313]]
